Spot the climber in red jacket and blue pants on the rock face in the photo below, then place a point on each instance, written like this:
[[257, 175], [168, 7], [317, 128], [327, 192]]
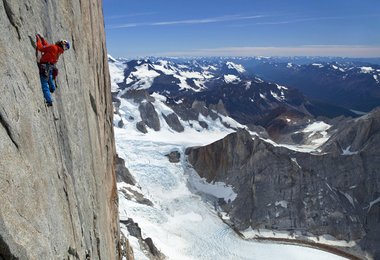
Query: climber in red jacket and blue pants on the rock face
[[46, 65]]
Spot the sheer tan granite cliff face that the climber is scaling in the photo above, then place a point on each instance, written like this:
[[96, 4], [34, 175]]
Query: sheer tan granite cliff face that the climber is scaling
[[57, 185]]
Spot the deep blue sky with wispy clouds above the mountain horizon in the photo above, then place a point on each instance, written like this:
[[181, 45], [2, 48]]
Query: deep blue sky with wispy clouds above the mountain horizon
[[137, 28]]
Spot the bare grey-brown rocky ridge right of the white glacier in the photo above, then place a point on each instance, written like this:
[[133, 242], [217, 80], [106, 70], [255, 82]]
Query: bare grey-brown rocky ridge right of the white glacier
[[335, 193]]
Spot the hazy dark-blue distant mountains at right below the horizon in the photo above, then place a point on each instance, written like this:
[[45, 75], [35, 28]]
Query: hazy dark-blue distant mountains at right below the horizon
[[351, 84]]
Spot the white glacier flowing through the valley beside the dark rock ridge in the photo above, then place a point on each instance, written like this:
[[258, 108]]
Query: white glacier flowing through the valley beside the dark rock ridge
[[180, 223]]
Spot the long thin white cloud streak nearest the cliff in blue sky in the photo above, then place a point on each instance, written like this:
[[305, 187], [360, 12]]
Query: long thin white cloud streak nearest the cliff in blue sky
[[192, 21]]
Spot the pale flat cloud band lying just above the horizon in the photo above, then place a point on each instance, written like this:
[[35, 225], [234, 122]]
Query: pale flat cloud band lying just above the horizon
[[304, 50]]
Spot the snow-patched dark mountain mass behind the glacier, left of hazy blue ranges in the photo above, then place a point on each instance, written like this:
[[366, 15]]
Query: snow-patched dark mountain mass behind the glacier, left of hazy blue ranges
[[219, 85]]
